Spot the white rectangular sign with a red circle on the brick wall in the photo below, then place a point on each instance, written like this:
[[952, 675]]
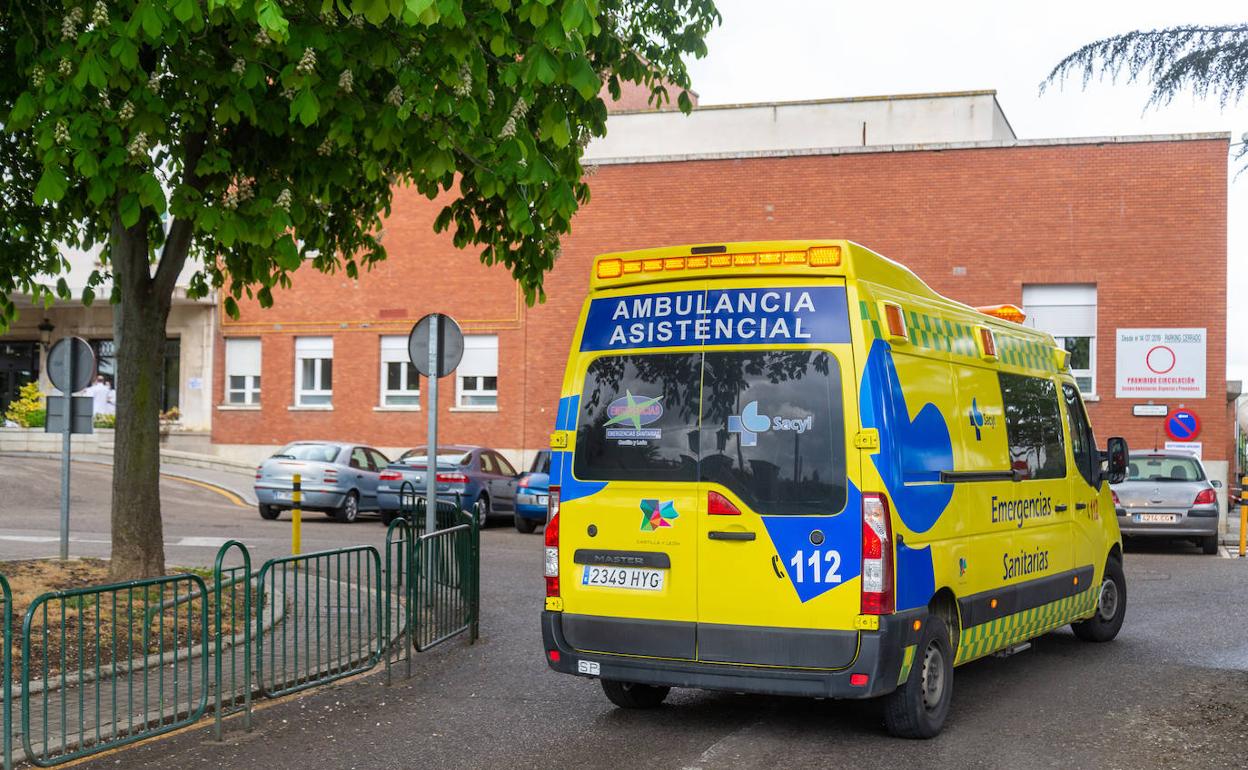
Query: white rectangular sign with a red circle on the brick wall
[[1161, 364]]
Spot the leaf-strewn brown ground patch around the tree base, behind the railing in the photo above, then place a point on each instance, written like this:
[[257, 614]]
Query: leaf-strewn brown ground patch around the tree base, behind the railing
[[88, 632]]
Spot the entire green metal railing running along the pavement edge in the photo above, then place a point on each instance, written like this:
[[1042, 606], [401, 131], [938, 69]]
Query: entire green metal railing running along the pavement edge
[[127, 662]]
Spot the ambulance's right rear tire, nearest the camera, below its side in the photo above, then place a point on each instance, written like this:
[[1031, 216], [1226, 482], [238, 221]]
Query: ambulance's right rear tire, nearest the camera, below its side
[[919, 708]]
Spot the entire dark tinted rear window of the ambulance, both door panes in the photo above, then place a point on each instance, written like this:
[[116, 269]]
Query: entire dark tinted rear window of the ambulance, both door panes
[[767, 425]]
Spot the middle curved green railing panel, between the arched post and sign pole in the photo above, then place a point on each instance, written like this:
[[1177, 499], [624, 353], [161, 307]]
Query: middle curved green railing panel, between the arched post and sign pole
[[321, 640]]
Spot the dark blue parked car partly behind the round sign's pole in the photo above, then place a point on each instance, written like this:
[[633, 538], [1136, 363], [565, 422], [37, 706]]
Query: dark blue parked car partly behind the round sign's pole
[[480, 479]]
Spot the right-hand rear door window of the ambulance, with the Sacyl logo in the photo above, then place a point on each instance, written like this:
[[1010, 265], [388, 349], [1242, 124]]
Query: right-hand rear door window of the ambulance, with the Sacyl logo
[[773, 430]]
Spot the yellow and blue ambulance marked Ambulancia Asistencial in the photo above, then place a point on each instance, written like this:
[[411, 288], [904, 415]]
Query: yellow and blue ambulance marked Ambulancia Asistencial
[[794, 469]]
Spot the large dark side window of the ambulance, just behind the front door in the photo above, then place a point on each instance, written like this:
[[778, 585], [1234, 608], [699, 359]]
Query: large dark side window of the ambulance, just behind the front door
[[1034, 426]]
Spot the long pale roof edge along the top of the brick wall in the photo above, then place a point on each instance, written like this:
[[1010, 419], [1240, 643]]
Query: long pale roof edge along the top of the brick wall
[[914, 148]]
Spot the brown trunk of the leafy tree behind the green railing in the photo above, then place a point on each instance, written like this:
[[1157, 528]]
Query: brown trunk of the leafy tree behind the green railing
[[139, 328]]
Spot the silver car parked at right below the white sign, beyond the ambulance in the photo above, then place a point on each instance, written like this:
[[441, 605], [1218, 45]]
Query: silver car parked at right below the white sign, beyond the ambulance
[[1169, 495]]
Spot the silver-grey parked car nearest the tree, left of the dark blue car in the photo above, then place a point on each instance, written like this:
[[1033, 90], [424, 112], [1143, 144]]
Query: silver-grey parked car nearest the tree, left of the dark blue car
[[336, 479]]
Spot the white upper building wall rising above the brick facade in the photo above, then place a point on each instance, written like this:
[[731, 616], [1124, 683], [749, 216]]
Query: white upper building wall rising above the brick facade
[[842, 123]]
